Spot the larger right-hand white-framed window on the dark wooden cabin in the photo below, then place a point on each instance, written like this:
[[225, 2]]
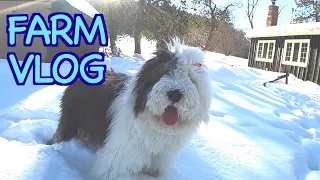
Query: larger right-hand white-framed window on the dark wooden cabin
[[296, 52]]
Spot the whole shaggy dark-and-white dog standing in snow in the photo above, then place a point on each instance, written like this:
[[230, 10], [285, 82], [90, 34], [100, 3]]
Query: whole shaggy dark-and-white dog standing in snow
[[139, 123]]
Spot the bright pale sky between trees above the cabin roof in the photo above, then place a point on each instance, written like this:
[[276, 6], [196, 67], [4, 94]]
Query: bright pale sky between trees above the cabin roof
[[241, 21]]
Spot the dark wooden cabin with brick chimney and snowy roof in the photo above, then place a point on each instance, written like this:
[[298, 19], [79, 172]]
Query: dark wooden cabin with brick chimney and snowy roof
[[291, 48]]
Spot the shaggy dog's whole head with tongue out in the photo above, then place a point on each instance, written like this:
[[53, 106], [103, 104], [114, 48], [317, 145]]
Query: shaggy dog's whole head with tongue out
[[172, 91]]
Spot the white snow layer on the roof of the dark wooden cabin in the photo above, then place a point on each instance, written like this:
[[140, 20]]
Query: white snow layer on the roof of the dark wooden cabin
[[286, 30]]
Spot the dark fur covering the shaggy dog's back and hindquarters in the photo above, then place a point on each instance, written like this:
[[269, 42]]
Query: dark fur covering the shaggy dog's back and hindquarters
[[84, 110]]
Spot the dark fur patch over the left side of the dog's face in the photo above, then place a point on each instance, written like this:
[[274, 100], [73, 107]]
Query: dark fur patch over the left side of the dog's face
[[151, 72]]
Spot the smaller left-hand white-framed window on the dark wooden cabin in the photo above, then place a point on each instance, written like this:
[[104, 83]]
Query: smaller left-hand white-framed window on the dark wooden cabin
[[265, 50]]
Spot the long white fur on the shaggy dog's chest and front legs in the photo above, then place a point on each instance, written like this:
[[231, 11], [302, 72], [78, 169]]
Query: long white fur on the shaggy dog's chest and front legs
[[130, 149]]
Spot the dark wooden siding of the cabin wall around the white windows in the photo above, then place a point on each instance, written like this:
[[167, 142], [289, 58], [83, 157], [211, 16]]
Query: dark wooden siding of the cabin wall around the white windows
[[309, 73]]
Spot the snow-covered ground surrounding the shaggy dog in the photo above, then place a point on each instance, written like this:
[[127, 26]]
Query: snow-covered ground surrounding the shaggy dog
[[255, 132]]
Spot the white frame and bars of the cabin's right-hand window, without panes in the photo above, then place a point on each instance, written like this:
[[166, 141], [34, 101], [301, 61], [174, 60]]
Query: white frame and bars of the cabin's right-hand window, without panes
[[298, 63]]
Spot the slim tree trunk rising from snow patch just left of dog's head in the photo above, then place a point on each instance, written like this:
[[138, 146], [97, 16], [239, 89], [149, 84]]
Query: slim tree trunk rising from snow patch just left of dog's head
[[138, 28]]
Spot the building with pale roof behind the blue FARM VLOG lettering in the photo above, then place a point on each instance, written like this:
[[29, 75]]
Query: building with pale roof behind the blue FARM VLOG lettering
[[45, 8]]
